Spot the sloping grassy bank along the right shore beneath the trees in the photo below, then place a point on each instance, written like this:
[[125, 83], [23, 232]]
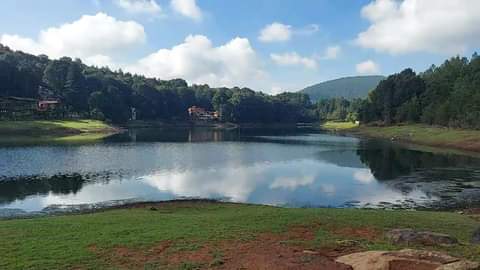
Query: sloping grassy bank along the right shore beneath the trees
[[468, 140]]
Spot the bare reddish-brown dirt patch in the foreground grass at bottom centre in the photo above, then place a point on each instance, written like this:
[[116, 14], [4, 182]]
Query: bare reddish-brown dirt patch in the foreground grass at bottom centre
[[267, 251]]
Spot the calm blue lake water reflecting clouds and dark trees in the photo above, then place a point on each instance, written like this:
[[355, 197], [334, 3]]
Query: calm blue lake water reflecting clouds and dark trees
[[292, 168]]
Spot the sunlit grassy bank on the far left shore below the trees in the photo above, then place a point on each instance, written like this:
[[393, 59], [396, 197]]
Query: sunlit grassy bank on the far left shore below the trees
[[39, 131]]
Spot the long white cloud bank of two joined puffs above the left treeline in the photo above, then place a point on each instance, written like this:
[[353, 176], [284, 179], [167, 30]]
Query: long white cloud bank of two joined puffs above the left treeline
[[100, 39]]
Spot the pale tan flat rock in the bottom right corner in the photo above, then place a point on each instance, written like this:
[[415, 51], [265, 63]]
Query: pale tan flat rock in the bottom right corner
[[405, 259]]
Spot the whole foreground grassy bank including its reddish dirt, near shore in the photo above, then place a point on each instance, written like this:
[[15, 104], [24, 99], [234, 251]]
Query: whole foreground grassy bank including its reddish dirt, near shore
[[198, 235]]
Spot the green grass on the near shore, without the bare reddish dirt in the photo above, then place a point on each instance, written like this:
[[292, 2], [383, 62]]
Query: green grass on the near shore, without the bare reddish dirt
[[65, 242]]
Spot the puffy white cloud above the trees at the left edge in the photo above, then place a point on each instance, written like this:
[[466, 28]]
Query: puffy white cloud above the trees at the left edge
[[91, 37]]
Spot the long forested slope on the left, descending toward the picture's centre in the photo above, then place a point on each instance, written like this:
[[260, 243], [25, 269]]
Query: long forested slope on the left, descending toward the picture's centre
[[105, 94]]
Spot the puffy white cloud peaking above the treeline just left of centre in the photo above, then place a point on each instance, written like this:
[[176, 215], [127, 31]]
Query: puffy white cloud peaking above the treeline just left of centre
[[198, 61]]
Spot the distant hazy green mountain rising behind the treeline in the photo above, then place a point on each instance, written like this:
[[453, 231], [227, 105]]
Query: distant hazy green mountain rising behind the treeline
[[349, 87]]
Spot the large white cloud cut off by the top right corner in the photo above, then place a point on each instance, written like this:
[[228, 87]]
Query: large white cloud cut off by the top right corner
[[450, 26]]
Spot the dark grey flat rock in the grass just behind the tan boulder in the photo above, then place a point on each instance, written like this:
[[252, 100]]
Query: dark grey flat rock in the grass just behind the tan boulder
[[409, 236]]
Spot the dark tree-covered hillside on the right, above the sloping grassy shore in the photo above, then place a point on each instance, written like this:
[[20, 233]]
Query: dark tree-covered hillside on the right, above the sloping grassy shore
[[448, 95]]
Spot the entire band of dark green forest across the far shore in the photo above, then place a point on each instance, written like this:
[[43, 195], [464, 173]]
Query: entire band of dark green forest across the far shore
[[448, 95]]
